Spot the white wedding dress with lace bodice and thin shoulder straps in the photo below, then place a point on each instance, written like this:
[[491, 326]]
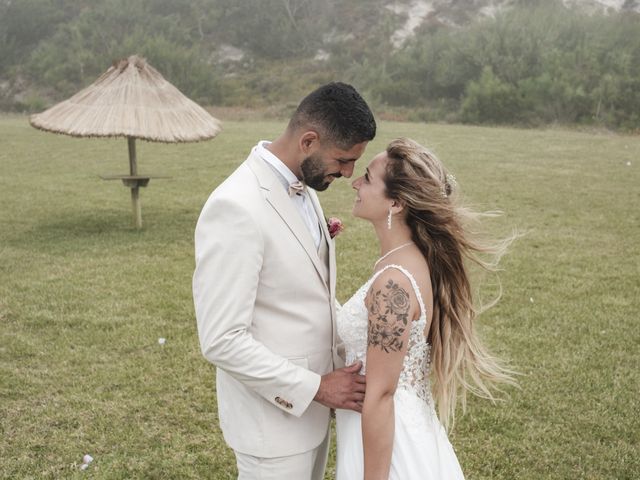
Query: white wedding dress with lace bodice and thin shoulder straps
[[421, 449]]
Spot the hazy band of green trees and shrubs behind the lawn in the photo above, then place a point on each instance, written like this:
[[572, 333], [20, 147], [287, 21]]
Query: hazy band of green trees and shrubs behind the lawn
[[536, 62]]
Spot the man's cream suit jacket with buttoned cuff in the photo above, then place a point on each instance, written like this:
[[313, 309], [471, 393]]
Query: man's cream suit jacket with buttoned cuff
[[265, 310]]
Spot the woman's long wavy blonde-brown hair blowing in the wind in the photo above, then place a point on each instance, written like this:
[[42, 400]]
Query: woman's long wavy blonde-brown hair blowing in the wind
[[442, 229]]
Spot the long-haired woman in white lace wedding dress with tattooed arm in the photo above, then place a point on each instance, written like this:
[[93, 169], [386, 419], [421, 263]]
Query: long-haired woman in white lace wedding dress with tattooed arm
[[411, 323]]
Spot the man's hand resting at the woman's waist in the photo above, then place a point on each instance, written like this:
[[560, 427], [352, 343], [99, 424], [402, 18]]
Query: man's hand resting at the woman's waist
[[343, 388]]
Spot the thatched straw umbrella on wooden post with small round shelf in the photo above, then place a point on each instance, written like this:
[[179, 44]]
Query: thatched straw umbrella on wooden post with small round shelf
[[131, 99]]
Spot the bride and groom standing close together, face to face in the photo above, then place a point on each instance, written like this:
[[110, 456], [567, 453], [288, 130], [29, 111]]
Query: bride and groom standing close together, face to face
[[393, 360]]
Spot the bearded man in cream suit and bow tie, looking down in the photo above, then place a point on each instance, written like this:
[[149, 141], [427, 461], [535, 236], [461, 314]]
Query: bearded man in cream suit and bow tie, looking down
[[264, 290]]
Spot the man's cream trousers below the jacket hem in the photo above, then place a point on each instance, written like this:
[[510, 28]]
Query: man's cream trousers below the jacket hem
[[304, 466]]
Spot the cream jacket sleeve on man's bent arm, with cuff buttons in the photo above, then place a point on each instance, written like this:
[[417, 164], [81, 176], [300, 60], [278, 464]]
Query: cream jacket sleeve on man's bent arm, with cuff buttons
[[229, 256]]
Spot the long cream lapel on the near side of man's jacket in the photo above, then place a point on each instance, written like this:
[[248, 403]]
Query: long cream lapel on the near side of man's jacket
[[277, 197]]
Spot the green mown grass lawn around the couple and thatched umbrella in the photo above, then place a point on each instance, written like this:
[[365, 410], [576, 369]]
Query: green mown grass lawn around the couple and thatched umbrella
[[84, 298]]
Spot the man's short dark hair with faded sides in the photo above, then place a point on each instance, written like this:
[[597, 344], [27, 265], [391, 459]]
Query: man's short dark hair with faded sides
[[339, 114]]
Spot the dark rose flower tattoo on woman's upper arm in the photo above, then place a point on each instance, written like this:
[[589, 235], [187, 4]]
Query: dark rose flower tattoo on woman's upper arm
[[388, 317]]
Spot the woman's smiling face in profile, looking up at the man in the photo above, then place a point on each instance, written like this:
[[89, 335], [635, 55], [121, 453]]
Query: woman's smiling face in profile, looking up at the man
[[371, 202]]
